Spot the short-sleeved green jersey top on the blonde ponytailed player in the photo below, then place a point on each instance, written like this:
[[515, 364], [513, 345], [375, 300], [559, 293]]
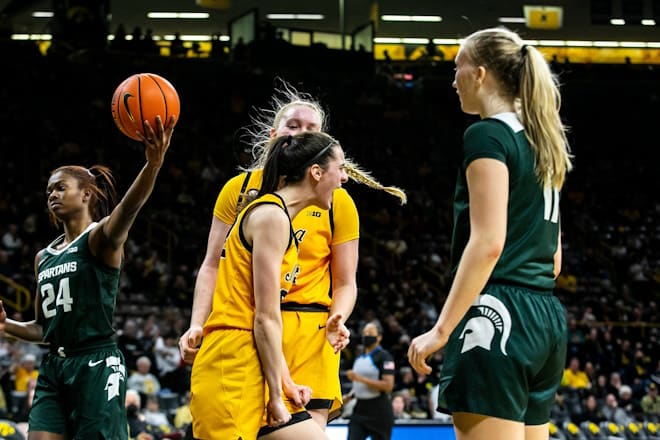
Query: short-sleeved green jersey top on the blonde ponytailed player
[[532, 213]]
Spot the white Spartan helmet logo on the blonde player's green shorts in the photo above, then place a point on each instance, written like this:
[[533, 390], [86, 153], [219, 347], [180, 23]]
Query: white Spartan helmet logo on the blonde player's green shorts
[[479, 331]]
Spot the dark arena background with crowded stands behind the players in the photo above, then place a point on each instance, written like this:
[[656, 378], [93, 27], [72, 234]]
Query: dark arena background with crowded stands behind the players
[[387, 88]]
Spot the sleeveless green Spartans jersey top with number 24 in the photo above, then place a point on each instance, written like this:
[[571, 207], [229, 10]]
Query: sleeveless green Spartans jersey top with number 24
[[78, 294]]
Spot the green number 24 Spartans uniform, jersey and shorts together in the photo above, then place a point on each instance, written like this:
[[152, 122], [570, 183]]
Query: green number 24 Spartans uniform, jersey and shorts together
[[82, 381]]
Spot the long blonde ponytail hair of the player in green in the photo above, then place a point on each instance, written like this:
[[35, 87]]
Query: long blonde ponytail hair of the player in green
[[525, 75]]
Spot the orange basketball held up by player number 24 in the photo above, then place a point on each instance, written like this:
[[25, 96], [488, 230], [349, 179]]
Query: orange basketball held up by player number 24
[[142, 97]]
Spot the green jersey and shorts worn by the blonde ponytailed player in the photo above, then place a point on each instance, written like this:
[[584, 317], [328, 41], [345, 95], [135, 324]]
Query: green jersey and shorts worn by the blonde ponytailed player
[[506, 357]]
